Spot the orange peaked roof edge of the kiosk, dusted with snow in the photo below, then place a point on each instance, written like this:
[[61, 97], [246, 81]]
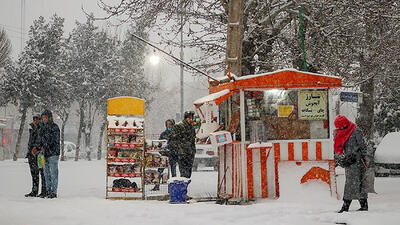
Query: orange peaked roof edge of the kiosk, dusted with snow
[[280, 79]]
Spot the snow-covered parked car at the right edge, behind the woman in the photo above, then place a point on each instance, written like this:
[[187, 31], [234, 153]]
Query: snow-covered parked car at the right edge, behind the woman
[[387, 156]]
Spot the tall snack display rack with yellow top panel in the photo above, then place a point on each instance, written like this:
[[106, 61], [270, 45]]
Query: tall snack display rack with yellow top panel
[[125, 148]]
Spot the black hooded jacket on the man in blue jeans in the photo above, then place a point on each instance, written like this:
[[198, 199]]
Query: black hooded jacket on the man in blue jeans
[[49, 139]]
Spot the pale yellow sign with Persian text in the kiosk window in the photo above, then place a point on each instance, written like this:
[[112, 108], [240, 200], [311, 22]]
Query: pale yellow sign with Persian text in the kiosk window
[[313, 105]]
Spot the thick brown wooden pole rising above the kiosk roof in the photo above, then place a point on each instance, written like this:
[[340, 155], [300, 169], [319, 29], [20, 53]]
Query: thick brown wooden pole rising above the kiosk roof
[[234, 37]]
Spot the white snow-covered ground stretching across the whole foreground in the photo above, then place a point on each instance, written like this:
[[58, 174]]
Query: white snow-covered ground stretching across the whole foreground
[[81, 201]]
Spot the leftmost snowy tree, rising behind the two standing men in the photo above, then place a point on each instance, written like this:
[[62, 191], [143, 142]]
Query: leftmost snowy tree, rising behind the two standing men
[[32, 82]]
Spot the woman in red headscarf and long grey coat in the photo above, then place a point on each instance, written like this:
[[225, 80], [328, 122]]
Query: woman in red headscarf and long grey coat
[[351, 153]]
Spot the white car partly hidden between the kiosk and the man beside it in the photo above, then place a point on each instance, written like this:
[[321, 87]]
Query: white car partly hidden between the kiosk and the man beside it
[[206, 158]]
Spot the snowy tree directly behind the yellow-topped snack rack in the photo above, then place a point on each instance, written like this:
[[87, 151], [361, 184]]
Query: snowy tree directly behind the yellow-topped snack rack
[[124, 73]]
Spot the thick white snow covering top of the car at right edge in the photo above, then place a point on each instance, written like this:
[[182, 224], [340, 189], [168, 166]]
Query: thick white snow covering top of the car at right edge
[[388, 150]]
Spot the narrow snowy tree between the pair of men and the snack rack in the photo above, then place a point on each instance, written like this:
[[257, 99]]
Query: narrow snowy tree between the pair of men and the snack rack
[[83, 69]]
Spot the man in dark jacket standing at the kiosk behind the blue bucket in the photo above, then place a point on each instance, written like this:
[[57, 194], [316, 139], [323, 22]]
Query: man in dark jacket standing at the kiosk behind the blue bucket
[[183, 141]]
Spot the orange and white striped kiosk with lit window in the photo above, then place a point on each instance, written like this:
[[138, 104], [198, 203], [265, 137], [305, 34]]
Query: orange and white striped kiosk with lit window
[[276, 117]]
